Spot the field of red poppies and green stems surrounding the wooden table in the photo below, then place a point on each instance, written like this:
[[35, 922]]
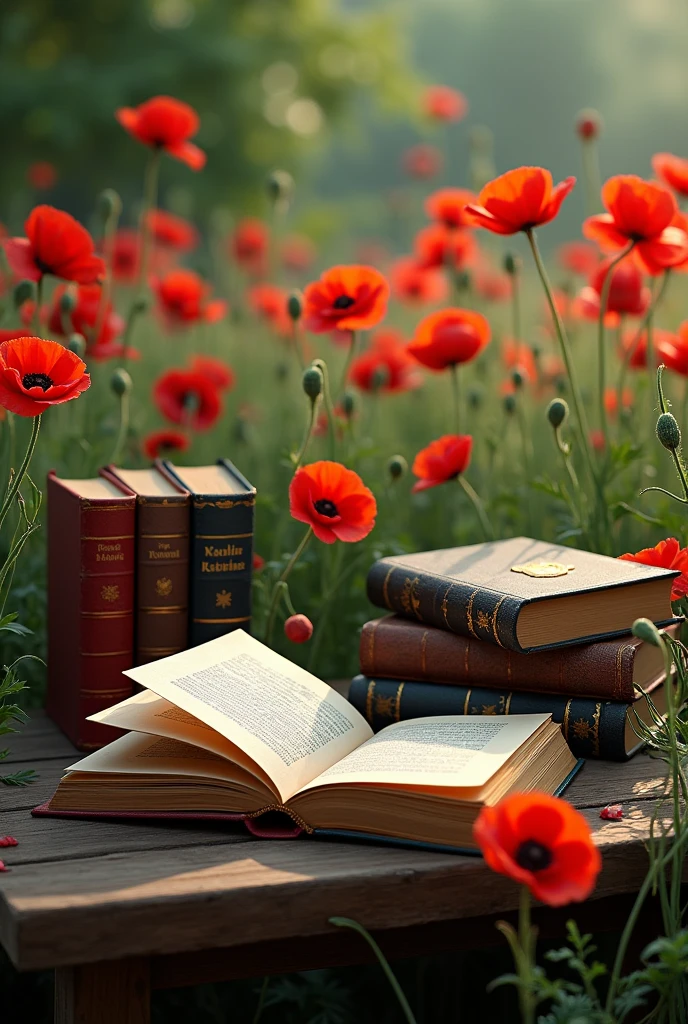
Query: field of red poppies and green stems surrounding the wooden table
[[460, 379]]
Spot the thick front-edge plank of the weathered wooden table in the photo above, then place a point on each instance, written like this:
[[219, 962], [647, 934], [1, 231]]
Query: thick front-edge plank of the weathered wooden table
[[163, 902]]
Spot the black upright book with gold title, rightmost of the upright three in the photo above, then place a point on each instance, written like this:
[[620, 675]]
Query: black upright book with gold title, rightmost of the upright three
[[223, 507]]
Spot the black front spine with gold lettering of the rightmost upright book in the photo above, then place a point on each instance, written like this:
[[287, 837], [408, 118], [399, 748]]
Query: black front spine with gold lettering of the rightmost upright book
[[221, 566]]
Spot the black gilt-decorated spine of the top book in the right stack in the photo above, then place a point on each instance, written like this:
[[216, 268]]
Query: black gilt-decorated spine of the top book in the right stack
[[459, 608]]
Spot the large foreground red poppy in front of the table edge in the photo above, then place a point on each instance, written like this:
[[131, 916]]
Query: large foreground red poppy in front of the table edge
[[543, 843]]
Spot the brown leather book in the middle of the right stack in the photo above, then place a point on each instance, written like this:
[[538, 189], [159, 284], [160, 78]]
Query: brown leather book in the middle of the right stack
[[397, 649]]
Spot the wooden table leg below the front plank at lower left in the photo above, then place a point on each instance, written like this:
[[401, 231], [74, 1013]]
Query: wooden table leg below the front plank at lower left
[[110, 993]]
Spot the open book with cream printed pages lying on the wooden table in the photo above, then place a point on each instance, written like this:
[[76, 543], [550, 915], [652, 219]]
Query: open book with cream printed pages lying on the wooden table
[[232, 729]]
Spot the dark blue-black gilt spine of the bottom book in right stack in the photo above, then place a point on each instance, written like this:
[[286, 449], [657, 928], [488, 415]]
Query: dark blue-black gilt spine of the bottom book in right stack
[[592, 729]]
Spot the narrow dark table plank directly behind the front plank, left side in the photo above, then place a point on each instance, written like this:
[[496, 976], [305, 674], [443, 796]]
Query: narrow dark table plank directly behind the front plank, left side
[[42, 840]]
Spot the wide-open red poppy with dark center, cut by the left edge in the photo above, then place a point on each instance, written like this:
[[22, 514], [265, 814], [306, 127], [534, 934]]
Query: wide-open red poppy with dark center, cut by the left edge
[[36, 374]]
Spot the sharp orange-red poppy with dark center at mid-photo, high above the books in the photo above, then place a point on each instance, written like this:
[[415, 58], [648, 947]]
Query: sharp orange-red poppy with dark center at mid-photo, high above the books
[[347, 298]]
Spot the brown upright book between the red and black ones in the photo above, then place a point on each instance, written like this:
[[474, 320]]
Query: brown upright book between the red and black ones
[[162, 562]]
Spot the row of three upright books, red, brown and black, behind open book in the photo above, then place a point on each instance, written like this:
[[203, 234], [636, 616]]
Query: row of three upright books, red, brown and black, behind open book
[[143, 564]]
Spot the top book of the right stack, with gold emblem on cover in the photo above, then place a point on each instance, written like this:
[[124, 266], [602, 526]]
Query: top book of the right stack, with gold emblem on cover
[[523, 594]]
